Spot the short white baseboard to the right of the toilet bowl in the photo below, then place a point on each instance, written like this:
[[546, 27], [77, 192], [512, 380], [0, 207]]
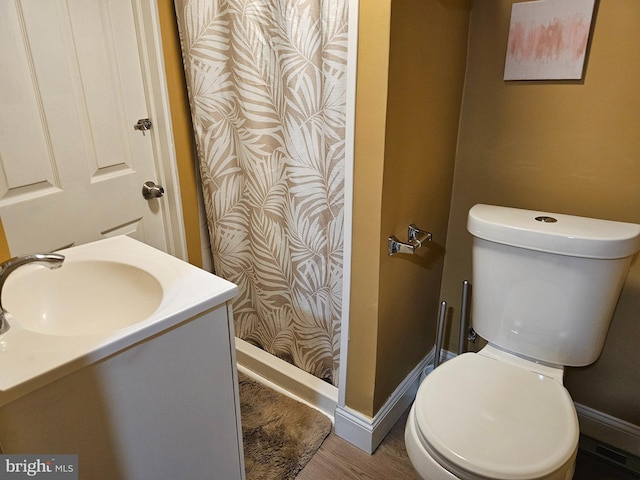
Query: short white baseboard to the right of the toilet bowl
[[609, 430]]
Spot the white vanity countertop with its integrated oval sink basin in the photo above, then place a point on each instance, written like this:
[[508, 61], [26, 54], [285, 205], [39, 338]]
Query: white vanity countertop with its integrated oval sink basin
[[107, 296]]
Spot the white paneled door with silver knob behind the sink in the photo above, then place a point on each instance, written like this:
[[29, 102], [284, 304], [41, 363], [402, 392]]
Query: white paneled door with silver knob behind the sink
[[72, 87]]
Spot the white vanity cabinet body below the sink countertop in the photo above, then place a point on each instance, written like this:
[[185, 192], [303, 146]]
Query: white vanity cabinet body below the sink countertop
[[164, 408]]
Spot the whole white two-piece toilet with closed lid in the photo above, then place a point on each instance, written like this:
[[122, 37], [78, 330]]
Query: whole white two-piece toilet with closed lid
[[544, 290]]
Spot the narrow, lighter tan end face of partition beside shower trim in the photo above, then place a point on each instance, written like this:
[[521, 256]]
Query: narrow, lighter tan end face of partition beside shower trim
[[373, 58]]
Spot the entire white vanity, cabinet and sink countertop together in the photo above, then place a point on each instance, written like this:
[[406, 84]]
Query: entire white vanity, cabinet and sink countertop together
[[155, 398]]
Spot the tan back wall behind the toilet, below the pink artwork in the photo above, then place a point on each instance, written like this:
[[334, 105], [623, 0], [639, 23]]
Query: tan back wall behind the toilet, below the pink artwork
[[563, 147]]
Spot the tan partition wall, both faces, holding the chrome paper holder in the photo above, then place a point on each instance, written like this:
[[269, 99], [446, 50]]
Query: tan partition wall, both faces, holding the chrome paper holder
[[411, 61]]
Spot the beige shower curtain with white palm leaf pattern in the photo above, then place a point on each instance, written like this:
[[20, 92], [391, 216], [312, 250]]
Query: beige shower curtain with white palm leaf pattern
[[267, 84]]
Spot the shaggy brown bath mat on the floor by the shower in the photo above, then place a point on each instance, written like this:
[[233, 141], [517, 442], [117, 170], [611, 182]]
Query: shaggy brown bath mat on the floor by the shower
[[280, 435]]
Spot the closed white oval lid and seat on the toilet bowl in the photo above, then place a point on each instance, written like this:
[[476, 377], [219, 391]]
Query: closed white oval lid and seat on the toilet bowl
[[496, 420]]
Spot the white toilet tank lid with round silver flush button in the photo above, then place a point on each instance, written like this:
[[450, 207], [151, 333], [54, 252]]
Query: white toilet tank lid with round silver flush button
[[554, 232]]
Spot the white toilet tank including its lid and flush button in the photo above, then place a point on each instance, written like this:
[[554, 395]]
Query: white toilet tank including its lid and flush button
[[545, 285]]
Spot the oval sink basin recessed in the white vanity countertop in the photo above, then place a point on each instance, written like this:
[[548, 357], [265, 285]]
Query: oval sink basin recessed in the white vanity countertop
[[82, 297]]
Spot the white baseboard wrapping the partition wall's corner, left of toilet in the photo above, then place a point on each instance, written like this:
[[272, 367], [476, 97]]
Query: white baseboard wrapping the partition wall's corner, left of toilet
[[365, 432]]
